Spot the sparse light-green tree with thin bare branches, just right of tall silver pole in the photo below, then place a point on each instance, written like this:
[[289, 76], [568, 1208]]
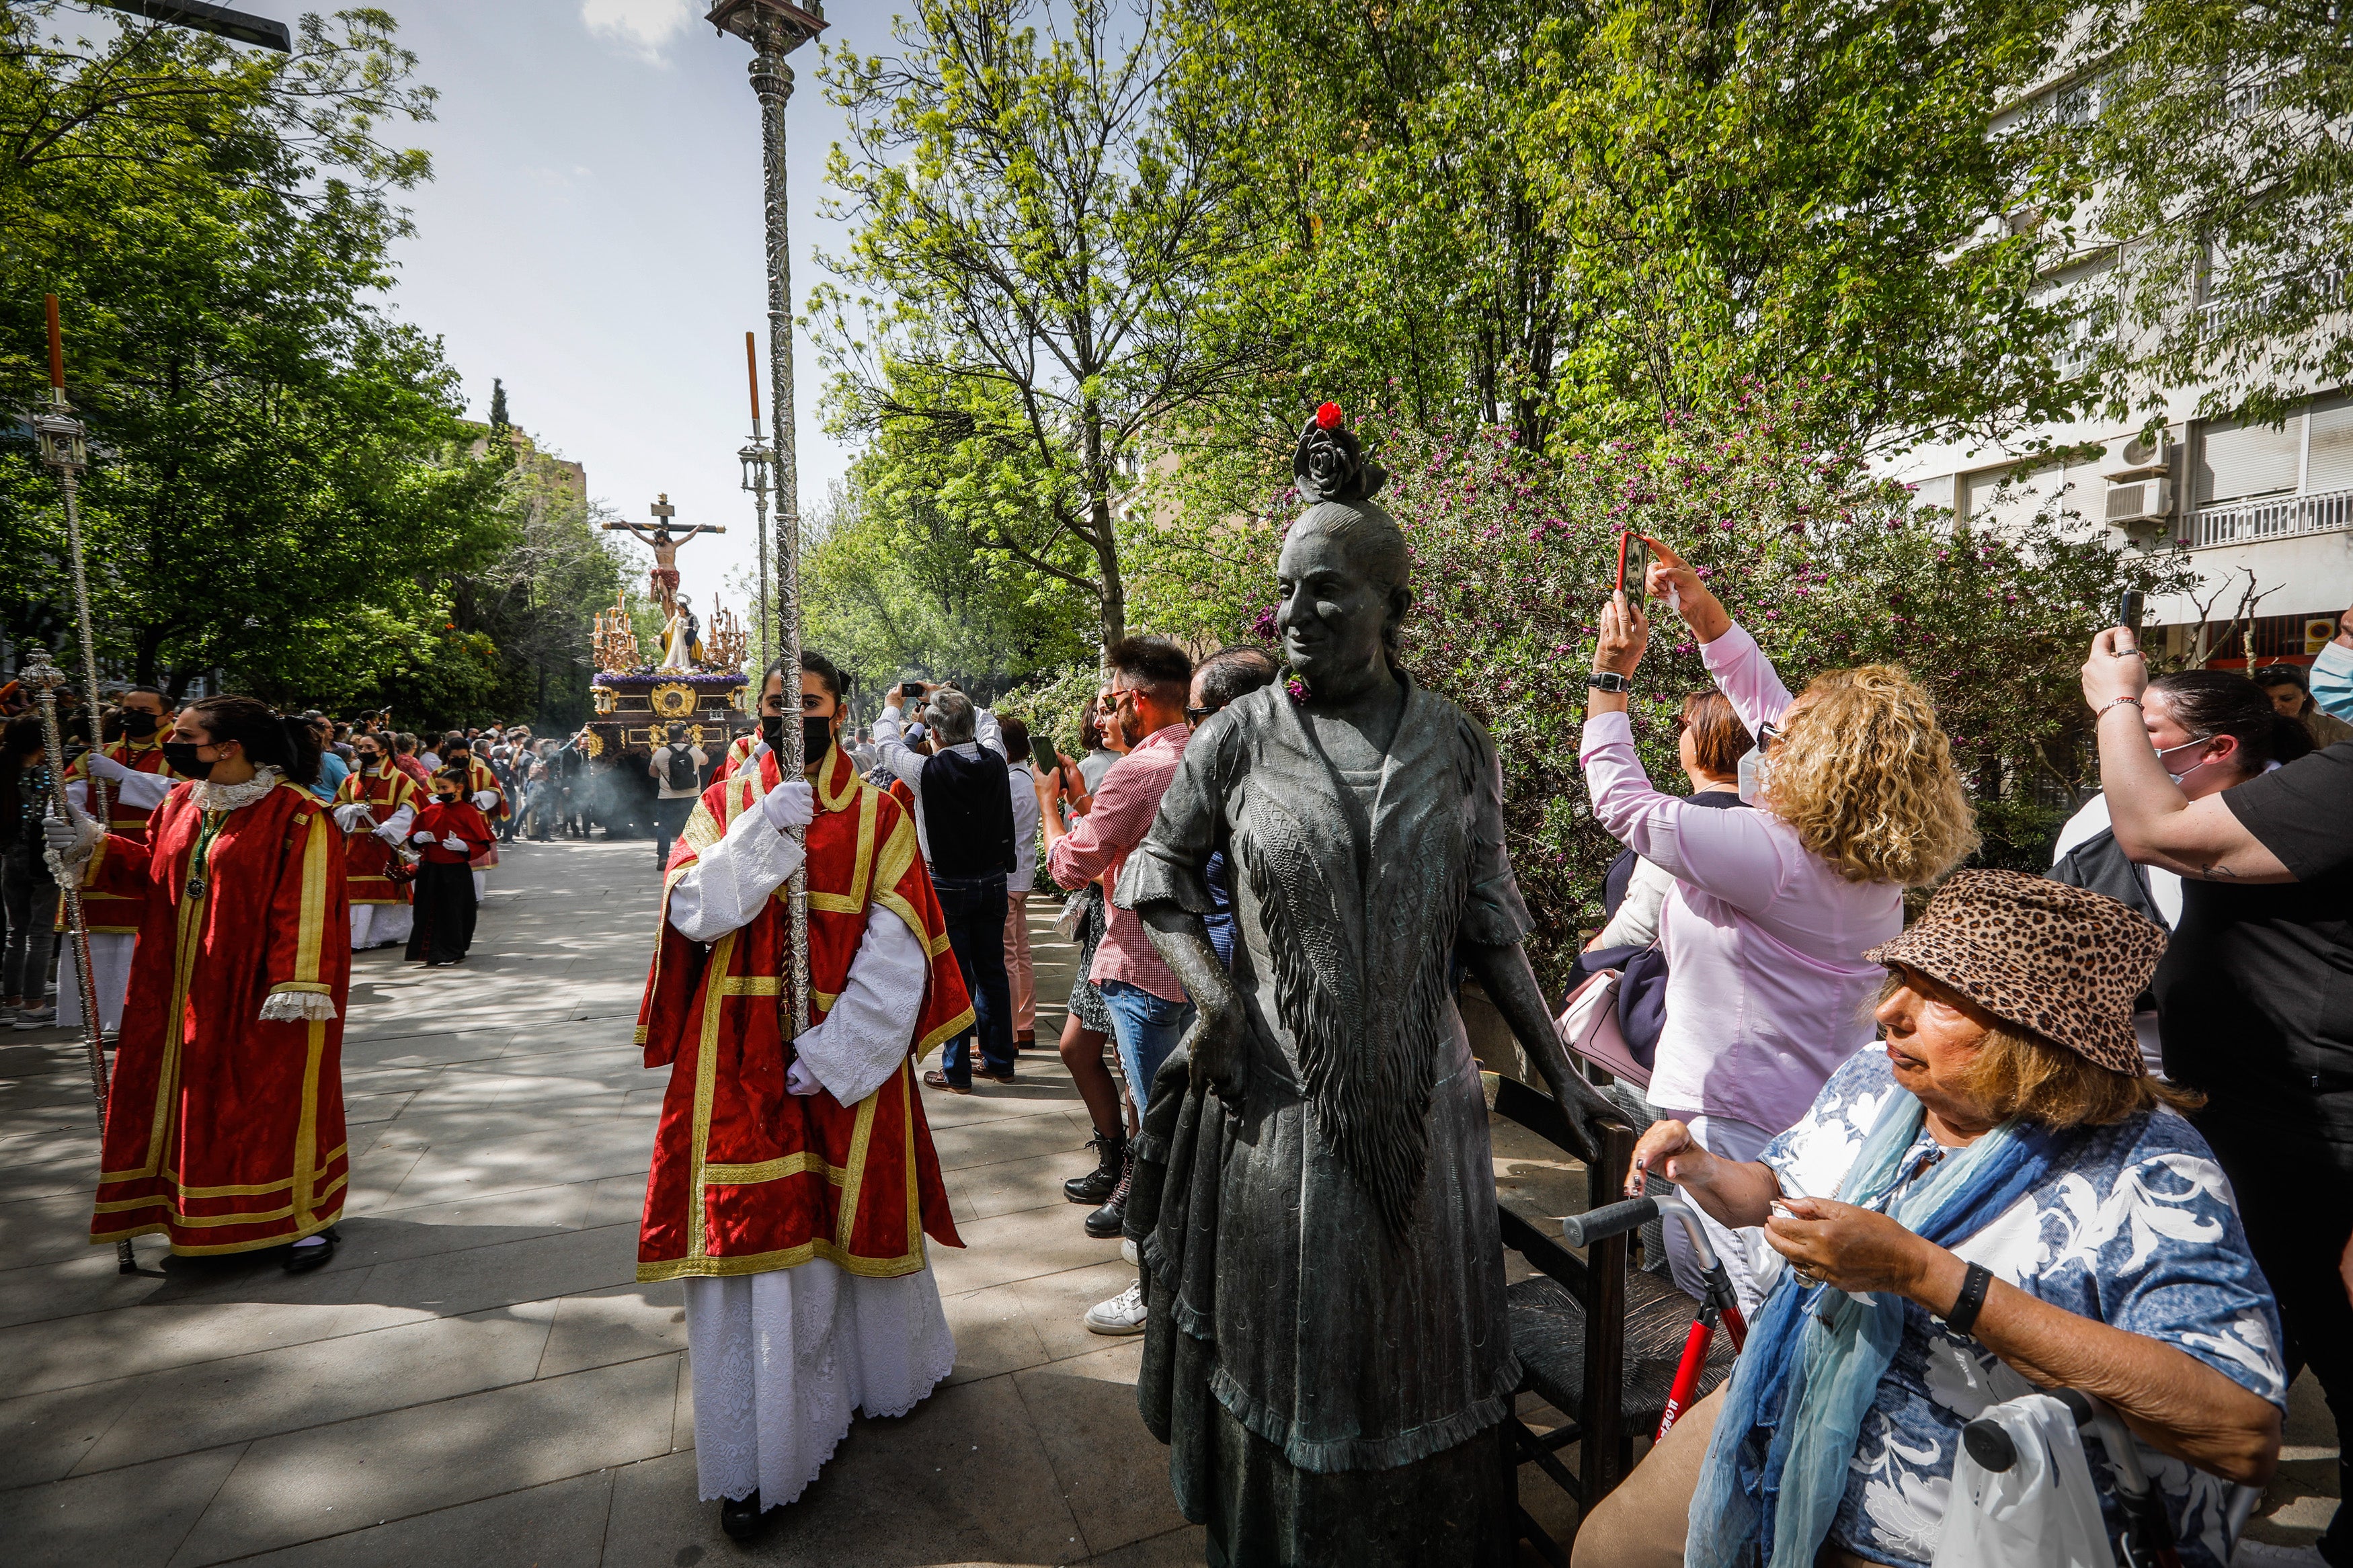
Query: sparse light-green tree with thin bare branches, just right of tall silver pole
[[1036, 225]]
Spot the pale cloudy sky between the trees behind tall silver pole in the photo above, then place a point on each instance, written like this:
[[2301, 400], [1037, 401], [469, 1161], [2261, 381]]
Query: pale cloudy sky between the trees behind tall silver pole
[[594, 239]]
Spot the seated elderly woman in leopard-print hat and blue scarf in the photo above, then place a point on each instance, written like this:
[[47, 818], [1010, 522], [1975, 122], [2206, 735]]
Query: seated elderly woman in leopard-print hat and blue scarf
[[1997, 1200]]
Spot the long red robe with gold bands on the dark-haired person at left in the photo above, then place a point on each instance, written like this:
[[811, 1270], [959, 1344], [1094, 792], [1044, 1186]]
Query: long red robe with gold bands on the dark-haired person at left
[[225, 1132]]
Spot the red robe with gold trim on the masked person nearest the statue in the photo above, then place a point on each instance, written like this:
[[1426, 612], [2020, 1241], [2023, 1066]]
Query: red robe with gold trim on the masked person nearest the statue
[[747, 1177]]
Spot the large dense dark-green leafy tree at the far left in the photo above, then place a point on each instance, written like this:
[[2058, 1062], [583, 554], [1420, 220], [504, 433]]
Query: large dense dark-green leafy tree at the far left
[[274, 453]]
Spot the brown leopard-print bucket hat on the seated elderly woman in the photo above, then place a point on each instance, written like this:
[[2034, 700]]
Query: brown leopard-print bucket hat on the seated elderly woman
[[2048, 958]]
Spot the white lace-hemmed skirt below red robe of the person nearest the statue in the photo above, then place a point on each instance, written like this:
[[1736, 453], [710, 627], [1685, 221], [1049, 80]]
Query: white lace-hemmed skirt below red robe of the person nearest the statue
[[785, 1358]]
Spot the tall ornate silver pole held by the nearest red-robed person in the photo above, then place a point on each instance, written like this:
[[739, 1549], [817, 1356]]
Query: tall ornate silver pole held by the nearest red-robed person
[[775, 29]]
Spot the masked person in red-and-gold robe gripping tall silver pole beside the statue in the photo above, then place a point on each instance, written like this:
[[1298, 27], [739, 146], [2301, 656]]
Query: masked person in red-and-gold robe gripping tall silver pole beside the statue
[[794, 1181]]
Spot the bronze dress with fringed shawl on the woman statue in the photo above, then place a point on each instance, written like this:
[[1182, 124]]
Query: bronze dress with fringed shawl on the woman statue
[[1335, 1240]]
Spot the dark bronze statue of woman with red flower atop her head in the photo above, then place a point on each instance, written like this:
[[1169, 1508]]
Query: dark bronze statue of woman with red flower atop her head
[[1326, 1351]]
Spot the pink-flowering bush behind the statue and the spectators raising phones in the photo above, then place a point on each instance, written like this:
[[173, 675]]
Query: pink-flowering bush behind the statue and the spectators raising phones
[[1825, 563]]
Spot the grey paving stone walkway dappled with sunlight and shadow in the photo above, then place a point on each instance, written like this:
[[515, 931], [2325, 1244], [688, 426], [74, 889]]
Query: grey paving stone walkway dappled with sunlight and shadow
[[479, 1379]]
